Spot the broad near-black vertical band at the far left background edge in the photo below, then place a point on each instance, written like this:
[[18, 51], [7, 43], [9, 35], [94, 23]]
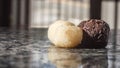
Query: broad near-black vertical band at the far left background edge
[[5, 6]]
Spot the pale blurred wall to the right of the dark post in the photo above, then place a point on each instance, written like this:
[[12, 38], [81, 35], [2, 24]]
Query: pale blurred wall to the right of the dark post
[[108, 11]]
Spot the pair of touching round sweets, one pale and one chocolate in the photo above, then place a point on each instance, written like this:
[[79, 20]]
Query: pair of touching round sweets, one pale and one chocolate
[[88, 34]]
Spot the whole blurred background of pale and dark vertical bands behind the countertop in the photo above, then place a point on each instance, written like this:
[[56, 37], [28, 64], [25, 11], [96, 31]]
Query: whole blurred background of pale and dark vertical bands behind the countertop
[[25, 14]]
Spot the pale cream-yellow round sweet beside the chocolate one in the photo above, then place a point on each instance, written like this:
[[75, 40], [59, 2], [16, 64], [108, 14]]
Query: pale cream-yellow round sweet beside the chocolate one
[[64, 34]]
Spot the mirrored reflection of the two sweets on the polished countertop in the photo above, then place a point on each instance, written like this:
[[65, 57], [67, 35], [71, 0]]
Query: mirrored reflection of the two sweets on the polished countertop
[[67, 58]]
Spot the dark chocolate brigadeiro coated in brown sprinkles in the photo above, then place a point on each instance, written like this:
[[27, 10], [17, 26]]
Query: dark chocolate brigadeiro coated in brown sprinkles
[[95, 33]]
